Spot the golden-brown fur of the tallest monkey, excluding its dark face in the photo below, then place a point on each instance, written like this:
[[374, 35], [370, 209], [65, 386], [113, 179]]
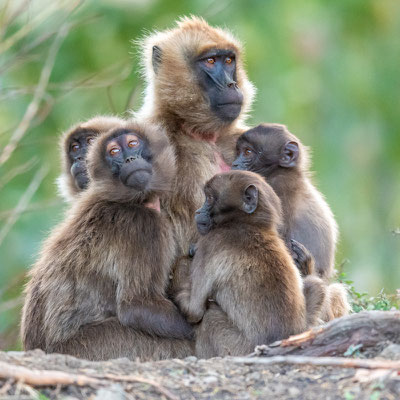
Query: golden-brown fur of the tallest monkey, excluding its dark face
[[174, 99]]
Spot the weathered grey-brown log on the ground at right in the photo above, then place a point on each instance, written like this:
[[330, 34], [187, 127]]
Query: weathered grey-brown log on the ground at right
[[367, 328]]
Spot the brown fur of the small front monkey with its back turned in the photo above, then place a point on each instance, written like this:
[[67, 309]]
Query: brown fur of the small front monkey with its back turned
[[244, 266]]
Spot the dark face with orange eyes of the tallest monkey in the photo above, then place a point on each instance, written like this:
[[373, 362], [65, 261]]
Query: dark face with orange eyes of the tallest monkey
[[216, 74]]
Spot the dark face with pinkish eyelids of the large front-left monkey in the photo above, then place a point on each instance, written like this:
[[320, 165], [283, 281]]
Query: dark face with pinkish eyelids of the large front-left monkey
[[129, 158]]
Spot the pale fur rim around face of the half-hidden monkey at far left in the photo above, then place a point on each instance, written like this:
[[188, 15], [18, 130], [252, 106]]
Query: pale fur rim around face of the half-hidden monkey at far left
[[93, 127]]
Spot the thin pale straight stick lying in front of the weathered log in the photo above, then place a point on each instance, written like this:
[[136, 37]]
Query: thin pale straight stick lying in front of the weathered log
[[320, 361]]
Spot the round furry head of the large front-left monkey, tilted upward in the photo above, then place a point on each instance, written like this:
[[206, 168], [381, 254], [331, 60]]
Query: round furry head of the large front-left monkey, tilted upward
[[131, 163]]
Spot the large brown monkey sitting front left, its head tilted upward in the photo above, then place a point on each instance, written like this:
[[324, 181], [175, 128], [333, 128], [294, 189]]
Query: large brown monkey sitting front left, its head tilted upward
[[102, 274]]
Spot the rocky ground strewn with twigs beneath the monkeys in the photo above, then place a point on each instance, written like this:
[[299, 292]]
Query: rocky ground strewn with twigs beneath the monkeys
[[369, 372]]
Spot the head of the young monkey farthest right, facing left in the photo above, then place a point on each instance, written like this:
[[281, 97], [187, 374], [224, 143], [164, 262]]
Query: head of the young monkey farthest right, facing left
[[270, 148]]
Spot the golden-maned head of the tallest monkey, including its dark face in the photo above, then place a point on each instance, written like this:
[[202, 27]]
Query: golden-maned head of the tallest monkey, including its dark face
[[195, 73]]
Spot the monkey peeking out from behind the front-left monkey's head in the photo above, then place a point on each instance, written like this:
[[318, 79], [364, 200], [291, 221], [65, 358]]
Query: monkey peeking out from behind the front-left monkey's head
[[74, 145]]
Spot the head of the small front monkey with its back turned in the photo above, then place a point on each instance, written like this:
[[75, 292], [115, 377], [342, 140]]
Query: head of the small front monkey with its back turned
[[240, 197]]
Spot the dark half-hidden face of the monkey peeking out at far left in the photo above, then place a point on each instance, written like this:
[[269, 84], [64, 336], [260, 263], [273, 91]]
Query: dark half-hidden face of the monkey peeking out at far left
[[78, 147]]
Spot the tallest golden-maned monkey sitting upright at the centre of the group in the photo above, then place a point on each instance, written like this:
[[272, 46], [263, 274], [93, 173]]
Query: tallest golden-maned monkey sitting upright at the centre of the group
[[198, 90]]
